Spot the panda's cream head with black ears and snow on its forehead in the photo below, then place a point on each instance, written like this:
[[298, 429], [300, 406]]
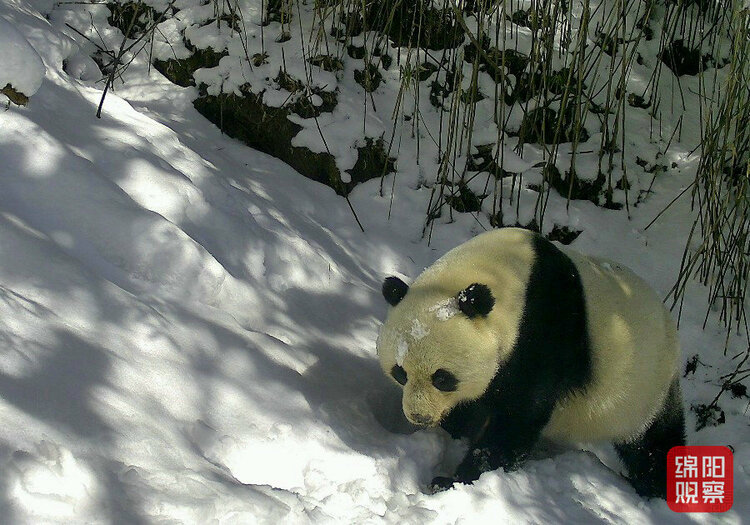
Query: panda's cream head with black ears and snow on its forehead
[[441, 343]]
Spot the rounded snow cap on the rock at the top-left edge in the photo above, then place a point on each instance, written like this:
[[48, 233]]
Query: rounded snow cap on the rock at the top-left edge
[[21, 66]]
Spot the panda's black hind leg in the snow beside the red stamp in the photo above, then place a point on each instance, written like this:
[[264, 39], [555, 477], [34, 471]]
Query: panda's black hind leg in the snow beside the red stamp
[[645, 457]]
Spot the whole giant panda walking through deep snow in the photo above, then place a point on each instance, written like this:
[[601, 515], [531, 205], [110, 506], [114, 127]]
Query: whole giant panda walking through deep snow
[[508, 338]]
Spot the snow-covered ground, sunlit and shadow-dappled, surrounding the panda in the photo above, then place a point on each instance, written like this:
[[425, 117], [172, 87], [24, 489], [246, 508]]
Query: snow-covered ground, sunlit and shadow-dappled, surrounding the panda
[[188, 326]]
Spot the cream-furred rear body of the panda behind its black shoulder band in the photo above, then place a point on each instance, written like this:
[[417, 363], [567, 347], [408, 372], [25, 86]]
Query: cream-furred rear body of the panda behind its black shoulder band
[[635, 351]]
